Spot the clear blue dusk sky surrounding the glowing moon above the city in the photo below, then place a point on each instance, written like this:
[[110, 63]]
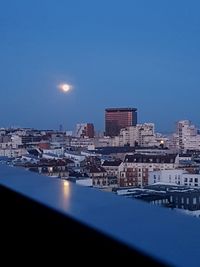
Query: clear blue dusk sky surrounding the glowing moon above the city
[[143, 54]]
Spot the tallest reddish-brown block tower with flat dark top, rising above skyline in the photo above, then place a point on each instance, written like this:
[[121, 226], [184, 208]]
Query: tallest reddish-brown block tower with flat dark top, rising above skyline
[[118, 118]]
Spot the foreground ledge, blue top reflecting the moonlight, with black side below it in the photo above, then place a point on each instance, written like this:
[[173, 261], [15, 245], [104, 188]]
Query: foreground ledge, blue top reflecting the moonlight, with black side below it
[[49, 221]]
